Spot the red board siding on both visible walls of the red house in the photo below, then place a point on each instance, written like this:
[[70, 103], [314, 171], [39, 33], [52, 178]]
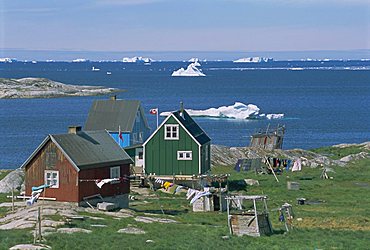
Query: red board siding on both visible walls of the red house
[[70, 188]]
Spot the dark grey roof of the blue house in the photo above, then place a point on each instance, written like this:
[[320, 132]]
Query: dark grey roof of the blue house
[[110, 114]]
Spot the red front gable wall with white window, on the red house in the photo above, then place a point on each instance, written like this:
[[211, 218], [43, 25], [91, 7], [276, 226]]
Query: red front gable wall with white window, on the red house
[[68, 178]]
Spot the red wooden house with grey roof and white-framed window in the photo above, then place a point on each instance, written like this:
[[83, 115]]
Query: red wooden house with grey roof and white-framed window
[[71, 163]]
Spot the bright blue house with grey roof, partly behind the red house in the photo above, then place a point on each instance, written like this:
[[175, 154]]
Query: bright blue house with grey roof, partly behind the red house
[[125, 117]]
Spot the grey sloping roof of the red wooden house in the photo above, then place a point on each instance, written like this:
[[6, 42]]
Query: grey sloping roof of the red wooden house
[[88, 149]]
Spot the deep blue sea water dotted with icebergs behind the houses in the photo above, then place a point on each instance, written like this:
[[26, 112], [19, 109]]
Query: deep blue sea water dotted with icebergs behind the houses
[[323, 103]]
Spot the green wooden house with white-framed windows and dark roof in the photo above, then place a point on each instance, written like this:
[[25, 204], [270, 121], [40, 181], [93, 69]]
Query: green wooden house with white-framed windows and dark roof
[[178, 147]]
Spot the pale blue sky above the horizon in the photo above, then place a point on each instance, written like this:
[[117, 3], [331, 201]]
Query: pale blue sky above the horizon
[[193, 25]]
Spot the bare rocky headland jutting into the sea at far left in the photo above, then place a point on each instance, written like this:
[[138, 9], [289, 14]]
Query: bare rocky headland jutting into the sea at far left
[[45, 88]]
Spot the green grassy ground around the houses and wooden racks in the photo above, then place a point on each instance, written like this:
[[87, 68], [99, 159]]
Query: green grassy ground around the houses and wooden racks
[[339, 220]]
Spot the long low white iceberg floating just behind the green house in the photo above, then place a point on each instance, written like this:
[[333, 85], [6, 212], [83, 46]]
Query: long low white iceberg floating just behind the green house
[[238, 111]]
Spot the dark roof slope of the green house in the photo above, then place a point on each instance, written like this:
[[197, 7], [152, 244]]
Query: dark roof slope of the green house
[[193, 128]]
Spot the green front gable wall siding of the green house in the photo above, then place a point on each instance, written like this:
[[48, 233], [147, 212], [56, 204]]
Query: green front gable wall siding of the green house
[[161, 154]]
